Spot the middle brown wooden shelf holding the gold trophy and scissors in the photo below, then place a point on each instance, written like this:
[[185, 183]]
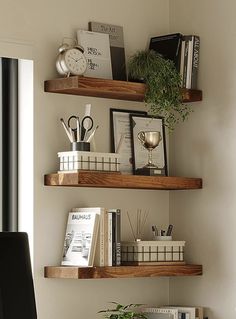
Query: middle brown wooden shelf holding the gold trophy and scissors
[[116, 180]]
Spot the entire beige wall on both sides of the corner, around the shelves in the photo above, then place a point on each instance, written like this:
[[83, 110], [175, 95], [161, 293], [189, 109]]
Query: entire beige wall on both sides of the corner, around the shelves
[[201, 147]]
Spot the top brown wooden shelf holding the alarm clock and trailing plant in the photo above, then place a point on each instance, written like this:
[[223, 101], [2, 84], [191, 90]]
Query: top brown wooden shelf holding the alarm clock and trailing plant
[[111, 89]]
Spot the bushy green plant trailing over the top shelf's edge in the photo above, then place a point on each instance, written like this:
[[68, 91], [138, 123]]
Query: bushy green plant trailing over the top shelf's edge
[[163, 94]]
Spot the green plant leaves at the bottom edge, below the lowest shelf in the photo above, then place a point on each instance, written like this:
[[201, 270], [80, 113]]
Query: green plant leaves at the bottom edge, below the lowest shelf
[[130, 311]]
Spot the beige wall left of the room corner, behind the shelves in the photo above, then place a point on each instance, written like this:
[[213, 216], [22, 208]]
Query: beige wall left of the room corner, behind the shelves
[[41, 25]]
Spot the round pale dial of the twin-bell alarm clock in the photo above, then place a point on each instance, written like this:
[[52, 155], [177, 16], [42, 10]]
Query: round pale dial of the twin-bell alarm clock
[[75, 61]]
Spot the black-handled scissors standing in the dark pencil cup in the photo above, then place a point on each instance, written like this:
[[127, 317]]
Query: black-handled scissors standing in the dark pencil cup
[[80, 129]]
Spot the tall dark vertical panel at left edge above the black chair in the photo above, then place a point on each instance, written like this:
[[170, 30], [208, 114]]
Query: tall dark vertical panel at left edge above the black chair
[[9, 82]]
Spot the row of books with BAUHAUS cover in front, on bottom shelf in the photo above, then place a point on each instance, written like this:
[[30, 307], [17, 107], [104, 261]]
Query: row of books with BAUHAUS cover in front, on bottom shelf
[[93, 237]]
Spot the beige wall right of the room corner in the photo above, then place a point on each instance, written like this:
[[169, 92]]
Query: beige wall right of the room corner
[[205, 147]]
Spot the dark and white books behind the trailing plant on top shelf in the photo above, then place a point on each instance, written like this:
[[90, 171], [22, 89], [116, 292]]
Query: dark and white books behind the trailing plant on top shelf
[[183, 50]]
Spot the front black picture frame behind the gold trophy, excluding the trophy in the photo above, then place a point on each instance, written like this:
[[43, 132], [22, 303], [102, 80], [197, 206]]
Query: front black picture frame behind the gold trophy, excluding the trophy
[[145, 122]]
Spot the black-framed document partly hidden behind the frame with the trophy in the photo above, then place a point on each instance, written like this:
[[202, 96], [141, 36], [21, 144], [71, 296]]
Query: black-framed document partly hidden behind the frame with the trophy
[[121, 136]]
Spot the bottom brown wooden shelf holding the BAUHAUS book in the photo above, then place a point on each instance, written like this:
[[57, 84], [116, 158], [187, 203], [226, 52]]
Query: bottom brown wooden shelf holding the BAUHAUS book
[[122, 271]]
